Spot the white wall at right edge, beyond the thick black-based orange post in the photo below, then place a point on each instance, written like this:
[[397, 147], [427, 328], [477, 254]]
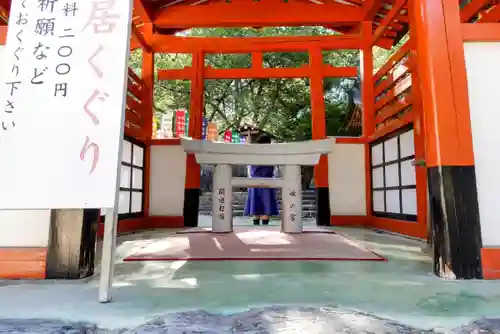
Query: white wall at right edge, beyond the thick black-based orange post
[[483, 73]]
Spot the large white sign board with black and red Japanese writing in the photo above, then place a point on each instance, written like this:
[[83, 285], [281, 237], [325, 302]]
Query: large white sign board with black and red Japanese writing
[[65, 66]]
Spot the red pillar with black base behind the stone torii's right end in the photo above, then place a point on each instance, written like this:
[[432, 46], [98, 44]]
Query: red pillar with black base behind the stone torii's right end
[[318, 123]]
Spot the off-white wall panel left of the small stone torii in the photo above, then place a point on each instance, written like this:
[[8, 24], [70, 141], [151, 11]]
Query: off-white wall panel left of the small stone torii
[[168, 172]]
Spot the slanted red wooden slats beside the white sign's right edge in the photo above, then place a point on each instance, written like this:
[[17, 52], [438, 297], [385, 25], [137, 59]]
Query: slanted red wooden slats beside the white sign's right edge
[[135, 116]]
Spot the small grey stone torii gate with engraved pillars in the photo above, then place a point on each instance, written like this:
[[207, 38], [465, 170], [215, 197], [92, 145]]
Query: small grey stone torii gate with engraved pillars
[[290, 157]]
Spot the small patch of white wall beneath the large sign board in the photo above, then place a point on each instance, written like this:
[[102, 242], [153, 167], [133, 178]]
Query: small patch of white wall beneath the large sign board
[[24, 228]]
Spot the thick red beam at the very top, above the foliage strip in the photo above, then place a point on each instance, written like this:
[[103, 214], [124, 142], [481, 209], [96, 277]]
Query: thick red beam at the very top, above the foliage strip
[[246, 13]]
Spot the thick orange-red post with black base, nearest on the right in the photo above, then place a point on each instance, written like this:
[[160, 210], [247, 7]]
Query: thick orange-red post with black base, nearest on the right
[[456, 230]]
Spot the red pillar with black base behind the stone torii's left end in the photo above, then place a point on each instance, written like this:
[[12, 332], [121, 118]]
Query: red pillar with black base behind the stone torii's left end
[[196, 106]]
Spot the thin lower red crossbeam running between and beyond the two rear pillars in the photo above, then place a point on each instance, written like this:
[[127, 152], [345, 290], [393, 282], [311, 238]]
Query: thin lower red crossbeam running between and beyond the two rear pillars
[[257, 73]]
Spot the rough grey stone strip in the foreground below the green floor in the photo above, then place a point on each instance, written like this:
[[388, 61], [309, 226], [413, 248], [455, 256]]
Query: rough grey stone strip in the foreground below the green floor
[[311, 320]]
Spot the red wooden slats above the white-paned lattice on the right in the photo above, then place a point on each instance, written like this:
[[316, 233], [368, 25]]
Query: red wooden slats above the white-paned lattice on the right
[[393, 91]]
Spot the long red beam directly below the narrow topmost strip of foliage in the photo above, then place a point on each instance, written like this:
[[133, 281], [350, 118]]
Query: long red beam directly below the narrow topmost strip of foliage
[[175, 44]]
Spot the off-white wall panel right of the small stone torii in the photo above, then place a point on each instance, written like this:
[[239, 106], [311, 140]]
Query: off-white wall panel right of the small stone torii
[[346, 173]]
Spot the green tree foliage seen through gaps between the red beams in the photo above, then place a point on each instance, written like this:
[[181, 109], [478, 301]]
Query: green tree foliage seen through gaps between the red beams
[[280, 106]]
